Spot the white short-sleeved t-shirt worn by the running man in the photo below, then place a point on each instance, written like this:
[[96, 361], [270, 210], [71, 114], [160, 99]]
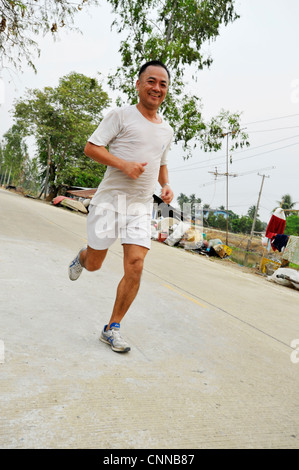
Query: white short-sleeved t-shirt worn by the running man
[[132, 137]]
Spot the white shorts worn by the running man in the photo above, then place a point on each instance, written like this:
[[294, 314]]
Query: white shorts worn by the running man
[[104, 226]]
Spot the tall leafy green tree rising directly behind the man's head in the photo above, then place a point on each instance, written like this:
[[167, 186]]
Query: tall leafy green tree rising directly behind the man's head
[[176, 31]]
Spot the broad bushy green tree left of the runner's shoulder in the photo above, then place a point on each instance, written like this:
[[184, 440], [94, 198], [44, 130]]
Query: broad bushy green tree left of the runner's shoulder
[[64, 117]]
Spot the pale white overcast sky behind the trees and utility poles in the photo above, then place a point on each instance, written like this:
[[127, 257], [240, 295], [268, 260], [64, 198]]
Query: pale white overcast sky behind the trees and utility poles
[[255, 71]]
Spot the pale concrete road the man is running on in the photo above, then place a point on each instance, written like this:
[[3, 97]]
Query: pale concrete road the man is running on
[[211, 364]]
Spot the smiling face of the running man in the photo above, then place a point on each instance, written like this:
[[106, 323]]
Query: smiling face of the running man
[[152, 86]]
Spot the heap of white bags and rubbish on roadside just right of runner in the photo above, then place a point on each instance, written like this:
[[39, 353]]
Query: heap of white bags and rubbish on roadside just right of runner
[[174, 232]]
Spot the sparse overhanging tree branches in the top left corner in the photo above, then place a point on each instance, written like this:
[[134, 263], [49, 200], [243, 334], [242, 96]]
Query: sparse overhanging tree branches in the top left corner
[[22, 21]]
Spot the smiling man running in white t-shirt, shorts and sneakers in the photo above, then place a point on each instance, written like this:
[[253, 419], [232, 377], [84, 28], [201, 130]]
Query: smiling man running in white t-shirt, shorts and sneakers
[[138, 140]]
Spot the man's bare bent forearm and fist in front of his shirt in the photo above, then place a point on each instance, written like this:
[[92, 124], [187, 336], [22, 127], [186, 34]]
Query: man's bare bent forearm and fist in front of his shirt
[[101, 155]]
